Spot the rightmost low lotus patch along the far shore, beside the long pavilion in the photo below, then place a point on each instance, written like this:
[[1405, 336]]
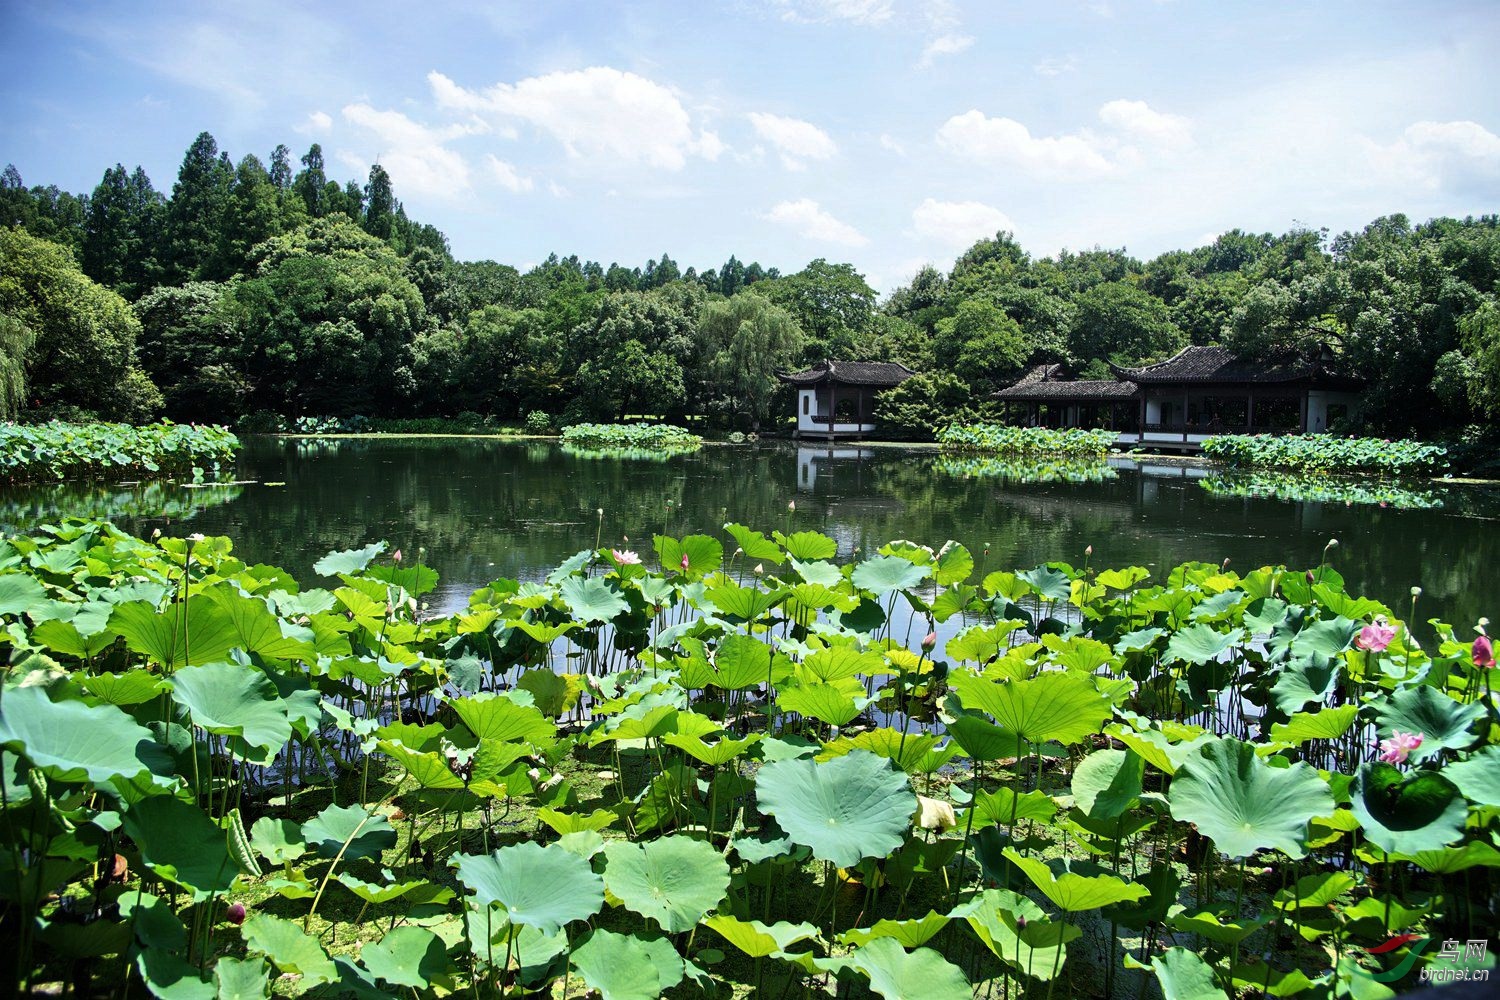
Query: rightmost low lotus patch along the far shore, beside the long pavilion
[[1328, 454]]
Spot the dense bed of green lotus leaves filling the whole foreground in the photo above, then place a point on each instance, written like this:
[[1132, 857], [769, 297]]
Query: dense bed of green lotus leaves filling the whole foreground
[[677, 771]]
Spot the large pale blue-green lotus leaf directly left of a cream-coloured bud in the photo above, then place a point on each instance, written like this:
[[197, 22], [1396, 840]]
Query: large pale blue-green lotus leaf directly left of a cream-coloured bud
[[845, 810]]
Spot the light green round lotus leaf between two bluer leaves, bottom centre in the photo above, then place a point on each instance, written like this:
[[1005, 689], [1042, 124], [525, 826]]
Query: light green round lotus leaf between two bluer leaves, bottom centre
[[674, 881]]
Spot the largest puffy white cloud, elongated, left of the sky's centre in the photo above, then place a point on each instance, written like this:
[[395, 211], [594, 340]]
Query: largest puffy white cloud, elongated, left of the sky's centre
[[599, 115]]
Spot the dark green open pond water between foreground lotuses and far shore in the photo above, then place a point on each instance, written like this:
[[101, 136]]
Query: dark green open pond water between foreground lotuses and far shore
[[487, 509]]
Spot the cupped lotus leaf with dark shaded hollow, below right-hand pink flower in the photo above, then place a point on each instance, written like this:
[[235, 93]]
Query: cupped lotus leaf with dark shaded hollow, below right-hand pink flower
[[1406, 815]]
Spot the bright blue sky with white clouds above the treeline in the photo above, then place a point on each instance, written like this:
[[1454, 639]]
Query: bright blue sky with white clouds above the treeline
[[881, 133]]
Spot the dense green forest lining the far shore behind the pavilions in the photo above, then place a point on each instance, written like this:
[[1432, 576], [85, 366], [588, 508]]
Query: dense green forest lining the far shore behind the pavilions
[[257, 287]]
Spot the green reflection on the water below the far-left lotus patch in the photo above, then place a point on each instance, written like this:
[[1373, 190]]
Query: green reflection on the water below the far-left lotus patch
[[22, 509]]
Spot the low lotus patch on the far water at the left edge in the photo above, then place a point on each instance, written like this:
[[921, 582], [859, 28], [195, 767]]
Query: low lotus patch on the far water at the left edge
[[59, 451]]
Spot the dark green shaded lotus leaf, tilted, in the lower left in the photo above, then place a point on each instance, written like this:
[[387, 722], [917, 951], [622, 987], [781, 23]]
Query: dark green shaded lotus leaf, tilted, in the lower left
[[182, 845]]
